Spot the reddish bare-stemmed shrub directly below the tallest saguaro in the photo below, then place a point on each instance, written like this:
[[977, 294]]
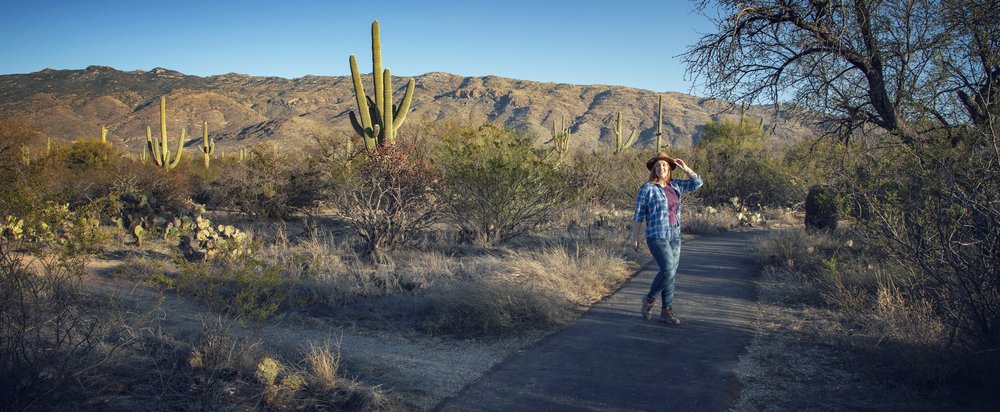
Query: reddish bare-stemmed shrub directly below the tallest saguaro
[[388, 196]]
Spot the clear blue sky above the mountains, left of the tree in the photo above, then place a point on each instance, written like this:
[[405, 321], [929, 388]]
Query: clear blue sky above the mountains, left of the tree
[[628, 43]]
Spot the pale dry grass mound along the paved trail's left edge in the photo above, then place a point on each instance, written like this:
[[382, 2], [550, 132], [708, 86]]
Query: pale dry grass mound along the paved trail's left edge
[[528, 291]]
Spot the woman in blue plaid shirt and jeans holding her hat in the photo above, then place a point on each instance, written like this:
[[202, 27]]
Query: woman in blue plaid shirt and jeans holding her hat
[[658, 204]]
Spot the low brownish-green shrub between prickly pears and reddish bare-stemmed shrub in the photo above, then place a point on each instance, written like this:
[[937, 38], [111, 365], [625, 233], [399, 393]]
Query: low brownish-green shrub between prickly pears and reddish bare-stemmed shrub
[[268, 184]]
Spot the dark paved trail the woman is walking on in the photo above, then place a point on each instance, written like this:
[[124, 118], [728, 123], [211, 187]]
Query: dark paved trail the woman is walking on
[[613, 360]]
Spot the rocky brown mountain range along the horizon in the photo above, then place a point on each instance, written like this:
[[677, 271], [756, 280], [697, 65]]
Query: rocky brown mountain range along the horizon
[[242, 109]]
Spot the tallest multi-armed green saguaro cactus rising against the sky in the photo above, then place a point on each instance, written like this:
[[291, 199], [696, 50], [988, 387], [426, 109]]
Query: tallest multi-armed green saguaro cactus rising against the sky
[[379, 117]]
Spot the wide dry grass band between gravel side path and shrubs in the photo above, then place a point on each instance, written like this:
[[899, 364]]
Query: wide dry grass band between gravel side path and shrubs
[[458, 291]]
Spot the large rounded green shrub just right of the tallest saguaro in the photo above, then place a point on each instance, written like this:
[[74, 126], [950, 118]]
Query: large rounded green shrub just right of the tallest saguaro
[[498, 186]]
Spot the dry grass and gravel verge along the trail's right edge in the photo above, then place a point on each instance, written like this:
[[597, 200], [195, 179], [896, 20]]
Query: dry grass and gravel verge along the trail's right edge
[[840, 329]]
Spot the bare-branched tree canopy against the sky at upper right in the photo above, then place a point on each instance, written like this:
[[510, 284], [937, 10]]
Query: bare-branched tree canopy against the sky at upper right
[[904, 66]]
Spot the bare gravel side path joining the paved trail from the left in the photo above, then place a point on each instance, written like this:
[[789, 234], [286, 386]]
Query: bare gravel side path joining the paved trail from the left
[[419, 371]]
